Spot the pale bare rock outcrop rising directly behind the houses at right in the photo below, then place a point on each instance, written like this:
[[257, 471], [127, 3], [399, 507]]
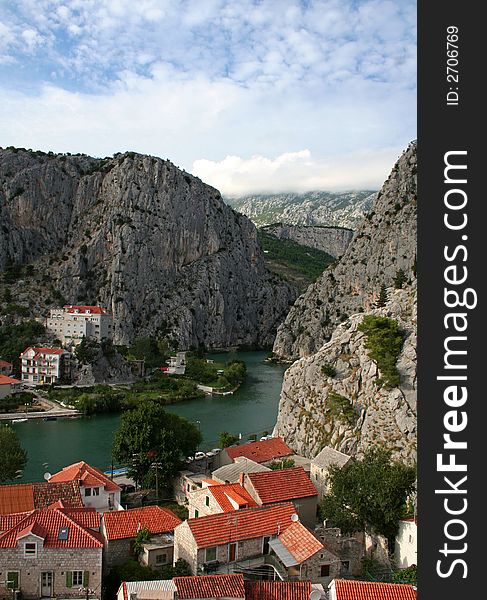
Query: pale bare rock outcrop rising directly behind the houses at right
[[332, 398]]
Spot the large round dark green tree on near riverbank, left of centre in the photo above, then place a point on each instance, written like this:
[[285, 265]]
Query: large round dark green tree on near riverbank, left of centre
[[149, 434]]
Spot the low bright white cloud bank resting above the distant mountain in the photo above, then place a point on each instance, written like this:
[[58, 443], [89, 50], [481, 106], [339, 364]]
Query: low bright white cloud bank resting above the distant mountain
[[297, 172]]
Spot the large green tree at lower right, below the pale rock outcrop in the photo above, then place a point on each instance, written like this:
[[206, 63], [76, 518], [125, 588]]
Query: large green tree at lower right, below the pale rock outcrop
[[370, 494]]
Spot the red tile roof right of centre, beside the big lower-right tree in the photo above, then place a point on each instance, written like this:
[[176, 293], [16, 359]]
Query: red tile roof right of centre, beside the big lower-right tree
[[282, 485]]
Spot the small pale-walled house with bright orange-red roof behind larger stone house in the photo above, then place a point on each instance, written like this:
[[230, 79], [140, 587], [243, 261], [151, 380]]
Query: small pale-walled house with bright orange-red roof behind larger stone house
[[216, 498]]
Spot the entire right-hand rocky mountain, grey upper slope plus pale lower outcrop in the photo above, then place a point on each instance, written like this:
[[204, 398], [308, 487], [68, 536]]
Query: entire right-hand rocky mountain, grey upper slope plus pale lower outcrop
[[358, 389]]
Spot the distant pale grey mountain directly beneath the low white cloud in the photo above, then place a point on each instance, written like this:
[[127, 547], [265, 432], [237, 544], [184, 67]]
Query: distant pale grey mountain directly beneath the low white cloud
[[345, 209]]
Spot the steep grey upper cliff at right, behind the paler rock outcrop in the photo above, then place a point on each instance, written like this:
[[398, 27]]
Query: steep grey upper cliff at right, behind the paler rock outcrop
[[384, 244]]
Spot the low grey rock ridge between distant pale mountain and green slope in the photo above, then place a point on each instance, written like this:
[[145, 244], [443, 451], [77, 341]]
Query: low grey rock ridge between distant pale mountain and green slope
[[333, 240]]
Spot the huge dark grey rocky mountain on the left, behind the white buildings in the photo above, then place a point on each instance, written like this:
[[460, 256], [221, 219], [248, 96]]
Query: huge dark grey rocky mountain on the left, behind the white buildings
[[156, 246]]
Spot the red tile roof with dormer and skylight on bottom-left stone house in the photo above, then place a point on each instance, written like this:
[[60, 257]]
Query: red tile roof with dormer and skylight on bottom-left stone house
[[48, 523]]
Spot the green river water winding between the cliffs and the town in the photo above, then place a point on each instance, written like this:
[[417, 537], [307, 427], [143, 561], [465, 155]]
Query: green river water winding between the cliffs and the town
[[51, 445]]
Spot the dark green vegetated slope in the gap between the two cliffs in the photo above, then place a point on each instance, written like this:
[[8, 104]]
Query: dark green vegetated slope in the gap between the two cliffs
[[300, 265]]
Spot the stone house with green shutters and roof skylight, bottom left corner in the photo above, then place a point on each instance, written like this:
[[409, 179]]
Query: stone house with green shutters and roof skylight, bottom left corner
[[51, 552]]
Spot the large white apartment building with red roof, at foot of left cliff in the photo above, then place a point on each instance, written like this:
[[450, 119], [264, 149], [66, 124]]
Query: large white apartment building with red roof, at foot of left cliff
[[71, 324]]
